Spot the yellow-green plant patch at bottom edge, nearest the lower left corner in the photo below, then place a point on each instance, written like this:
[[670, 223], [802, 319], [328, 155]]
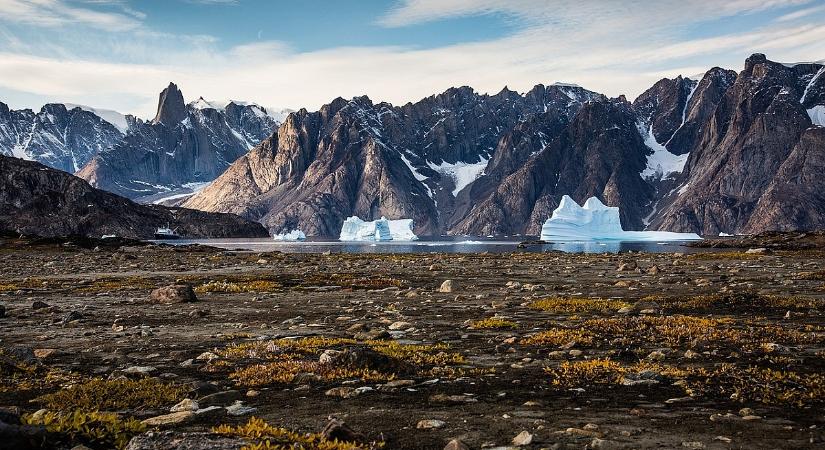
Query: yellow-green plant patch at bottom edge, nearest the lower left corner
[[96, 429]]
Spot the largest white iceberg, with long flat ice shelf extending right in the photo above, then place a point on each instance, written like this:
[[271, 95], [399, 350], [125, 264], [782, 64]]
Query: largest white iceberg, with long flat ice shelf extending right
[[596, 222]]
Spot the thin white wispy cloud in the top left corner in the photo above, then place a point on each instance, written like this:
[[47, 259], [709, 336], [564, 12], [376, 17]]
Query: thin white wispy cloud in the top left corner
[[53, 13]]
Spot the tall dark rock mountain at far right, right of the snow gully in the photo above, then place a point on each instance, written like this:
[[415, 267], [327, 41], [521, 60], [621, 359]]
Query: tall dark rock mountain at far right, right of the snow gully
[[750, 169]]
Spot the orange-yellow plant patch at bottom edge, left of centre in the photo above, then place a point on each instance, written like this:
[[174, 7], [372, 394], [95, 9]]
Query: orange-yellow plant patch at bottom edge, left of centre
[[261, 435]]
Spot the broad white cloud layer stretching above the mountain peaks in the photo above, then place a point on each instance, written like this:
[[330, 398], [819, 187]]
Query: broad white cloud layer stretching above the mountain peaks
[[609, 46]]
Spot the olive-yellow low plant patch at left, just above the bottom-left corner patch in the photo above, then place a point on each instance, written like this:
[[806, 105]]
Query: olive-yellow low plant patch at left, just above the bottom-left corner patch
[[98, 394]]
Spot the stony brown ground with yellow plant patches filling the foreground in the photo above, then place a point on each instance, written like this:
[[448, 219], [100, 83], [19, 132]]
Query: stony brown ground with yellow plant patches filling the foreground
[[148, 347]]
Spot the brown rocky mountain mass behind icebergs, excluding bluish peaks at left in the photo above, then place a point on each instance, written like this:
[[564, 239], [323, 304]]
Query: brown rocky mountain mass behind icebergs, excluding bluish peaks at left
[[727, 153]]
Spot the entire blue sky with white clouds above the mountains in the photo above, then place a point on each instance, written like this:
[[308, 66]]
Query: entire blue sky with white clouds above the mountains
[[119, 54]]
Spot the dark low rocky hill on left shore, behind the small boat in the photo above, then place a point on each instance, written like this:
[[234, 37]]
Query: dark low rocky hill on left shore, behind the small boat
[[35, 199]]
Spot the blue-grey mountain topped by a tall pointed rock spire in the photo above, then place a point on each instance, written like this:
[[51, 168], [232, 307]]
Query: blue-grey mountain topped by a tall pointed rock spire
[[184, 145]]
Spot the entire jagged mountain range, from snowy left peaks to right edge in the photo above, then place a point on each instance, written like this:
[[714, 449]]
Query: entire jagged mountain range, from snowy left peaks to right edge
[[728, 152]]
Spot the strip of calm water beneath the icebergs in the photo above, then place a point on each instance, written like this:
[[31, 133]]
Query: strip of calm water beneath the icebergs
[[436, 245]]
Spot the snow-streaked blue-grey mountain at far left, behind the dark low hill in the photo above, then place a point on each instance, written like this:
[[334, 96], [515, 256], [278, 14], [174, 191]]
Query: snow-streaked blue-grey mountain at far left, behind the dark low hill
[[61, 138]]
